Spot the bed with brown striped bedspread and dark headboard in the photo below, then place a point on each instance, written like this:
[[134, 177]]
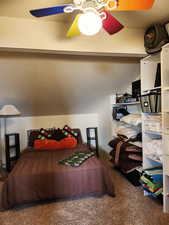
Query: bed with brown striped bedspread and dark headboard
[[38, 176]]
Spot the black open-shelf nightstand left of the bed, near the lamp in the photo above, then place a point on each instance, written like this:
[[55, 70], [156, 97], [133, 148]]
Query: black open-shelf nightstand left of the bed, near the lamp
[[12, 149]]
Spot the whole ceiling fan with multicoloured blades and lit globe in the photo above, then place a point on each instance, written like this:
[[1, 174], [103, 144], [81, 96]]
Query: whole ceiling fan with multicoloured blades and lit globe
[[94, 14]]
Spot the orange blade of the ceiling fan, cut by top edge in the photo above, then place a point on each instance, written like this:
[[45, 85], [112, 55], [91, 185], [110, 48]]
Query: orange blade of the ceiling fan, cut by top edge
[[126, 5]]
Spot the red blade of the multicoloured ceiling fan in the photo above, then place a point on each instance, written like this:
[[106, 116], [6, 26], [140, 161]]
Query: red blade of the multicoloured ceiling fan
[[110, 24]]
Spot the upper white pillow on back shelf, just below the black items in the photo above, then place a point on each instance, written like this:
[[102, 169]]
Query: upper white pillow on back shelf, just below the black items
[[132, 119]]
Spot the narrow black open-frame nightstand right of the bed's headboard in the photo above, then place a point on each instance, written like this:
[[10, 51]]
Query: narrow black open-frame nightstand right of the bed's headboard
[[92, 136]]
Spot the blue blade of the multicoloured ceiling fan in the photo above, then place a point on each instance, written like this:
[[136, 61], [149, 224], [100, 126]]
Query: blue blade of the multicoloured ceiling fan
[[48, 11]]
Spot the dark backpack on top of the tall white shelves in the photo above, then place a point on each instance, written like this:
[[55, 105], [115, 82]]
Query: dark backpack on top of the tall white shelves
[[155, 37]]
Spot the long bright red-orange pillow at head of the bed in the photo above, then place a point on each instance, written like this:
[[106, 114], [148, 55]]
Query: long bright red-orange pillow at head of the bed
[[66, 143]]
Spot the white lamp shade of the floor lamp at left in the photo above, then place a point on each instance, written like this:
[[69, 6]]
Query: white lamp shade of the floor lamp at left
[[9, 110]]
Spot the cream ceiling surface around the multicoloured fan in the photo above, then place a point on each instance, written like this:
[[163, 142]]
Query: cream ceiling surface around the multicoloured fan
[[142, 19]]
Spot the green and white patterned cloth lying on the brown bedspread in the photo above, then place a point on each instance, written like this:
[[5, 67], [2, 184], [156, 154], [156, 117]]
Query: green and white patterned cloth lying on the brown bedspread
[[76, 159]]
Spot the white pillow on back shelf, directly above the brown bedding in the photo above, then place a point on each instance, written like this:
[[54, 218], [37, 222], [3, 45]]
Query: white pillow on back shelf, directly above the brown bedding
[[127, 131]]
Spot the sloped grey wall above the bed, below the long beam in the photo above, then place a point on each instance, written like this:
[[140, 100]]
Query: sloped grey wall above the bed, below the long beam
[[56, 84]]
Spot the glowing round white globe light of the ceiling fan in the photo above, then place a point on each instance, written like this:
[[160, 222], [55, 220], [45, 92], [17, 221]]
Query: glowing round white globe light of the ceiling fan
[[89, 23]]
